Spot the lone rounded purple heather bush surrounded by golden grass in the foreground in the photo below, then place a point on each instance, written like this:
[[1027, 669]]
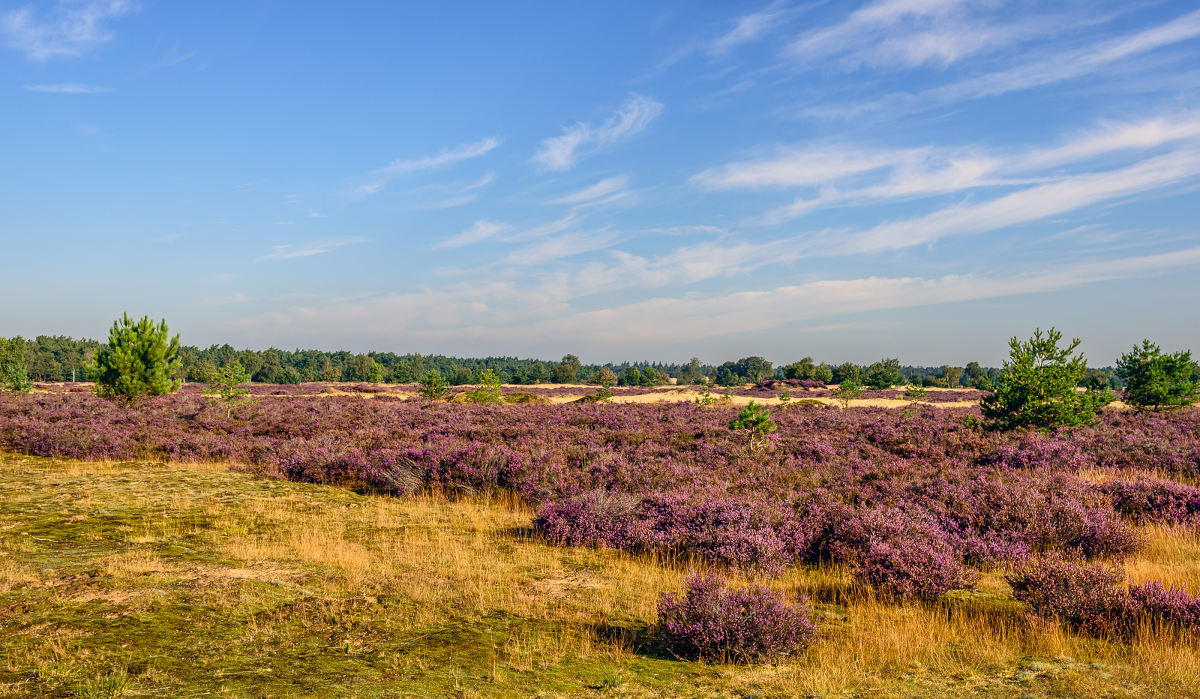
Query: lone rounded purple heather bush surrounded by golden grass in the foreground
[[721, 624]]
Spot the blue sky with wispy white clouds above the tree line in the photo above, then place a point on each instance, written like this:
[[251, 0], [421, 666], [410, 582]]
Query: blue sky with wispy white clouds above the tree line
[[623, 181]]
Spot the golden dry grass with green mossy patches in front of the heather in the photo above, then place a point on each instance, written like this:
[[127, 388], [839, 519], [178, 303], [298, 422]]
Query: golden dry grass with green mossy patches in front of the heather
[[196, 581]]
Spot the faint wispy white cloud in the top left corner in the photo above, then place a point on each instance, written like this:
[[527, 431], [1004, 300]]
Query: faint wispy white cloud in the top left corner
[[70, 29]]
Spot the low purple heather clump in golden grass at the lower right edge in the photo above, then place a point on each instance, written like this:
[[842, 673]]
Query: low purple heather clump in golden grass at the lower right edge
[[1089, 596]]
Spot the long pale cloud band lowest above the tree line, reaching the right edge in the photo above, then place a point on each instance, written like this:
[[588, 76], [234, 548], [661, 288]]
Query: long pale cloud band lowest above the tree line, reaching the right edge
[[514, 318]]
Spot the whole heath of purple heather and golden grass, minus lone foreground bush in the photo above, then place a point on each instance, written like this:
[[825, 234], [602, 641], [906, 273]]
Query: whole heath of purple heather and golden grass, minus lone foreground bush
[[337, 543]]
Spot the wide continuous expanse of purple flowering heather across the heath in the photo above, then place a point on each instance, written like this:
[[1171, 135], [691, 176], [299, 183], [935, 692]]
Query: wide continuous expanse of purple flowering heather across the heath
[[674, 480]]
